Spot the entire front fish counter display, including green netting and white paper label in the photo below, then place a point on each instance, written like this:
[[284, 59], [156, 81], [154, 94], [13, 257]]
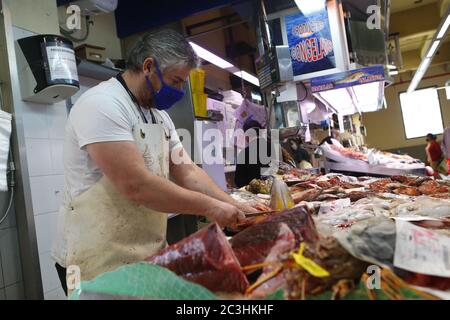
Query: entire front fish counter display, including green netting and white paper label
[[338, 233]]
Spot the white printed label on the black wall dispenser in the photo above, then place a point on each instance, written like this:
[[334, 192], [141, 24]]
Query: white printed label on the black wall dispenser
[[62, 63]]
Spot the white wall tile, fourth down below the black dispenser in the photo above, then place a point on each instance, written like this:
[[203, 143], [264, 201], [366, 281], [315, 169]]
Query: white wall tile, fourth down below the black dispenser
[[46, 230]]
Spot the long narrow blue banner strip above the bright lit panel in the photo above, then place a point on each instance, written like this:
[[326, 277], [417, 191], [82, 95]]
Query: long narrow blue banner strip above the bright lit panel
[[348, 78]]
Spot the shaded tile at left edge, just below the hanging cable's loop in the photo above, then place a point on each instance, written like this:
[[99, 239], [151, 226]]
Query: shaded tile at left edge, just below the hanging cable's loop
[[9, 252]]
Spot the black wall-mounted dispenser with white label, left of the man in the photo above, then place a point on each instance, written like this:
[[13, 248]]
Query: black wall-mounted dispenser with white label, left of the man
[[47, 68]]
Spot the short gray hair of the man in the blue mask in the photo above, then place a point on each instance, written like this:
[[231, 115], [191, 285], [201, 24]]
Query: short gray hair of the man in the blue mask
[[168, 47]]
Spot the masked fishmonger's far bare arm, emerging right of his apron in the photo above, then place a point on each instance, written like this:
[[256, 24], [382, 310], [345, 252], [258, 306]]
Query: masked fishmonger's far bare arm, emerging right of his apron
[[188, 175]]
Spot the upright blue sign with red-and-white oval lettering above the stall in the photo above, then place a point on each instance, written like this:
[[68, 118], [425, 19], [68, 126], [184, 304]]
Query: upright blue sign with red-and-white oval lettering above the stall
[[310, 42]]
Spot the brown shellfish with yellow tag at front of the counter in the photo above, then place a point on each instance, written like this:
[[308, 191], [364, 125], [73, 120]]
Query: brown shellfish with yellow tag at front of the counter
[[326, 266]]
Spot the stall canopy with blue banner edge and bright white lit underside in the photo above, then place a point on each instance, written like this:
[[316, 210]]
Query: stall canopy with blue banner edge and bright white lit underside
[[350, 92]]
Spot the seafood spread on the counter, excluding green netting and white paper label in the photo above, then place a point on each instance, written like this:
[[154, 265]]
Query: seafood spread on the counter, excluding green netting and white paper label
[[339, 226]]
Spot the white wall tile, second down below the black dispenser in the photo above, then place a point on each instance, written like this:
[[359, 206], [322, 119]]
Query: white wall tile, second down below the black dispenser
[[39, 157]]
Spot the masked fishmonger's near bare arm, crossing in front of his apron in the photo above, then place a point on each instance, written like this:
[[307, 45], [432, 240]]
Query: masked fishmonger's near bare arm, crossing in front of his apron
[[124, 165]]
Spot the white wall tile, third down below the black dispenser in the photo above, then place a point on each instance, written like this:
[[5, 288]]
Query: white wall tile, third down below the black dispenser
[[43, 194]]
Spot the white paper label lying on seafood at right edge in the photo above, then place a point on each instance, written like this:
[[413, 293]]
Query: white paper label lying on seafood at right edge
[[421, 250]]
